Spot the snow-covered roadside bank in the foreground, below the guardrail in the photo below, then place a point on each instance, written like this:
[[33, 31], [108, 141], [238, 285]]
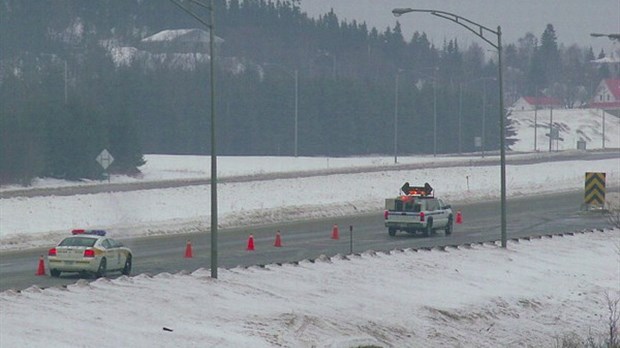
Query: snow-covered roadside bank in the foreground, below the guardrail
[[527, 295]]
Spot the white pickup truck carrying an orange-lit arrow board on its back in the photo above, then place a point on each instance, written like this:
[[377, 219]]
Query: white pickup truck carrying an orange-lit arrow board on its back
[[417, 210]]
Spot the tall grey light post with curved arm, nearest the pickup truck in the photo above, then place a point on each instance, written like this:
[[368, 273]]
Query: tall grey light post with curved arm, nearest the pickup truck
[[480, 31]]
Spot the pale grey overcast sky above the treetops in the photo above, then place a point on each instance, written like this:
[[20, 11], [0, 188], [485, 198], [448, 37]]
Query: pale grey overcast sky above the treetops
[[573, 20]]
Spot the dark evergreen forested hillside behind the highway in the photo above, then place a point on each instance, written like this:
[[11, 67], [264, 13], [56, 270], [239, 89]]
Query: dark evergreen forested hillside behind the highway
[[65, 95]]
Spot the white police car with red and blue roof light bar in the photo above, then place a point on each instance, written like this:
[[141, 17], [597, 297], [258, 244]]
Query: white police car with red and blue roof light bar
[[89, 251]]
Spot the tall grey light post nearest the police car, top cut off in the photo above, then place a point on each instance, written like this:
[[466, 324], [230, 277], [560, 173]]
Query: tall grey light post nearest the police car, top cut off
[[211, 26]]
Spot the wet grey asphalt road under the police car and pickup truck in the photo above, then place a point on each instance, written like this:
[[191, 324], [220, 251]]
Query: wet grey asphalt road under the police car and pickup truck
[[533, 216]]
